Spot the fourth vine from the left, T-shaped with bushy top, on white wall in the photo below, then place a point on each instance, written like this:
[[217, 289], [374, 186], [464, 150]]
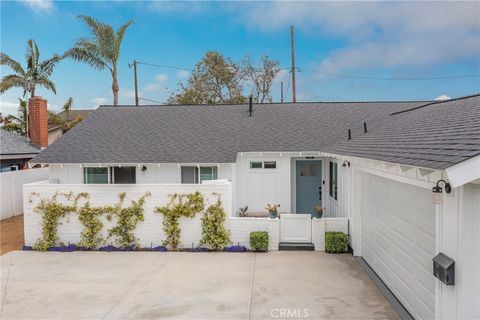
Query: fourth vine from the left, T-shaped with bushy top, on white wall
[[180, 205]]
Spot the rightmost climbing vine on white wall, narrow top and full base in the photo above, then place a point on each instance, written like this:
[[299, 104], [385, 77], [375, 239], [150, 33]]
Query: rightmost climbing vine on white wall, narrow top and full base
[[214, 234]]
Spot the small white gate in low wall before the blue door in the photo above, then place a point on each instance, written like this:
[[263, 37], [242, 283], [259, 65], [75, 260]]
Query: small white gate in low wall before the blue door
[[296, 228]]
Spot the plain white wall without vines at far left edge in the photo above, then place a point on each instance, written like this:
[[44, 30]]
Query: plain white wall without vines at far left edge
[[11, 189]]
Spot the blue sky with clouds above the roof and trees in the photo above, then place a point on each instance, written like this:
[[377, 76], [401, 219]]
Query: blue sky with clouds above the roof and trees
[[345, 51]]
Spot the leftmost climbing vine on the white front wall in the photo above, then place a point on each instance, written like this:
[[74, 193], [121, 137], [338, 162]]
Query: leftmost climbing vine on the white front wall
[[52, 210]]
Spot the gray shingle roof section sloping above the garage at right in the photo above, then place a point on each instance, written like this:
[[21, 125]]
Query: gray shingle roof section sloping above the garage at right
[[436, 135]]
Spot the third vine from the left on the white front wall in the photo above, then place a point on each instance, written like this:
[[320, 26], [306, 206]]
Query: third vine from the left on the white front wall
[[127, 220]]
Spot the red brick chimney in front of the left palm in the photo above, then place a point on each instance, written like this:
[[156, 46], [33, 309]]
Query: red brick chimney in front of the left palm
[[38, 121]]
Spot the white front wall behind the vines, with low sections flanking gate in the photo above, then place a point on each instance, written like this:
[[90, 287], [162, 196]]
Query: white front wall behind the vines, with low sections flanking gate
[[150, 231]]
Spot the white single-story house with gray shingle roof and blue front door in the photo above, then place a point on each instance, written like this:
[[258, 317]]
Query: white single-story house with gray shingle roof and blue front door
[[405, 175]]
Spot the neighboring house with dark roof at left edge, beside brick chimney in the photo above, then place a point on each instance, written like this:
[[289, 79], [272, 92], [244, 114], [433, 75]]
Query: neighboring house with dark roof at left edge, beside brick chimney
[[15, 151]]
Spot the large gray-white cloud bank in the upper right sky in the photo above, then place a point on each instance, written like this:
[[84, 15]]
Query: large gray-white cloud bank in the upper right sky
[[376, 34]]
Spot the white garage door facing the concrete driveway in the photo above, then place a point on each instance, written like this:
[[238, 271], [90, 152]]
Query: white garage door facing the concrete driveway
[[398, 240]]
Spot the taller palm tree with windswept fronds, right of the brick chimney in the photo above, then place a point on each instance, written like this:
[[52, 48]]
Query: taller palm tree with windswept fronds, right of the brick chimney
[[101, 50]]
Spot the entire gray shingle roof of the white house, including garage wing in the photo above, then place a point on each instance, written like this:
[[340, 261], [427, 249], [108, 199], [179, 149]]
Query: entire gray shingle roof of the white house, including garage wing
[[215, 134]]
